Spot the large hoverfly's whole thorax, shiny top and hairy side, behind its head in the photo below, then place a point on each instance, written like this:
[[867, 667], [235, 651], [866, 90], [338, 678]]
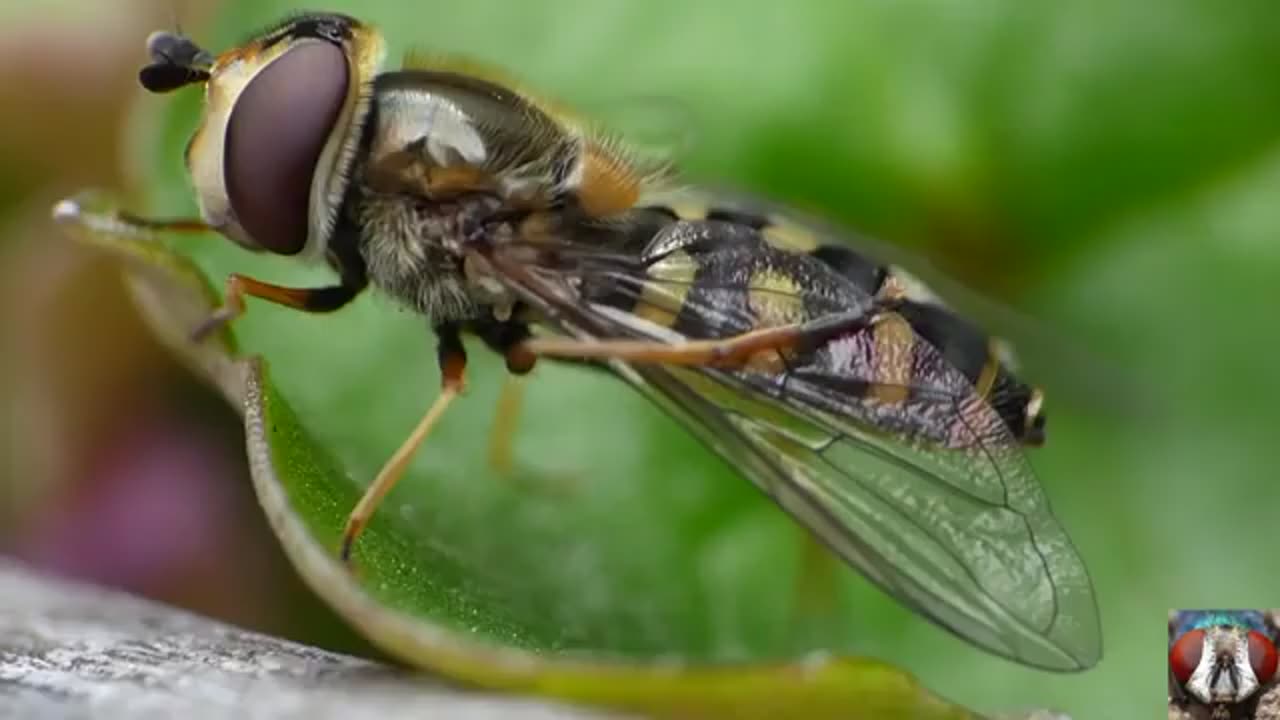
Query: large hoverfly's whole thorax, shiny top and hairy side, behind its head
[[442, 154]]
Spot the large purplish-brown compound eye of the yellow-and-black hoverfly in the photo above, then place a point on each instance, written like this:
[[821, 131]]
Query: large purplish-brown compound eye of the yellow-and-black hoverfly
[[275, 138]]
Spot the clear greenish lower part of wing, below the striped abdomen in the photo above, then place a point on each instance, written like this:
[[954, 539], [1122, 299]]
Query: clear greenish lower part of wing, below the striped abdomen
[[984, 559]]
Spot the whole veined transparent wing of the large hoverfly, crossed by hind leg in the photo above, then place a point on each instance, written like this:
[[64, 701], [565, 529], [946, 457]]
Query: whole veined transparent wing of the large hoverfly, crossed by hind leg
[[927, 494]]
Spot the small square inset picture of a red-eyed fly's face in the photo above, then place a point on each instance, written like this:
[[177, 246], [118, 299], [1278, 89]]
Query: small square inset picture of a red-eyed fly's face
[[1223, 666]]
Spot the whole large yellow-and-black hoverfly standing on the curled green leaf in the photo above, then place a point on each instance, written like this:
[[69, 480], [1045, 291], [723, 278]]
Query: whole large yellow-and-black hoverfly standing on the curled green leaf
[[880, 420]]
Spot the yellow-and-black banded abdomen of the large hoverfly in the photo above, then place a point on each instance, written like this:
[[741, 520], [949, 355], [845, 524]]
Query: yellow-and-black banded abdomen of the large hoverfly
[[720, 271]]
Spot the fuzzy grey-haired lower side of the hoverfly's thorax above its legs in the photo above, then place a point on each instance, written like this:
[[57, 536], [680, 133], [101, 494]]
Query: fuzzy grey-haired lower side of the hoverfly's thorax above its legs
[[413, 252]]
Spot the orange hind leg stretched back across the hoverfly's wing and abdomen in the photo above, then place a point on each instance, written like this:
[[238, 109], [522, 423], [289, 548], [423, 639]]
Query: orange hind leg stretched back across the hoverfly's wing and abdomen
[[730, 353]]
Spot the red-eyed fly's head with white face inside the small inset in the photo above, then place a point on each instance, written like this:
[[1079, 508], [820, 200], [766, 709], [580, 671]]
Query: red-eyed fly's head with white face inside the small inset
[[1222, 658]]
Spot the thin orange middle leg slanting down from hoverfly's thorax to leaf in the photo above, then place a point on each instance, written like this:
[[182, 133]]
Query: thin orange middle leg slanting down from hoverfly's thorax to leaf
[[454, 362]]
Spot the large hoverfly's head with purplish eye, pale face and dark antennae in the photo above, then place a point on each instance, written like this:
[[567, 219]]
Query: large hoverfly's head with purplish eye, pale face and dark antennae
[[272, 156]]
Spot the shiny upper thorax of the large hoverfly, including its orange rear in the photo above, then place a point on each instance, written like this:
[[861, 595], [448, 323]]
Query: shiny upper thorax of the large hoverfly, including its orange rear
[[438, 134]]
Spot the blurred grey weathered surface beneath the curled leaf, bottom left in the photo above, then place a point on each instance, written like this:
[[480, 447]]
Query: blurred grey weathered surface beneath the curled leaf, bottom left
[[70, 651]]
